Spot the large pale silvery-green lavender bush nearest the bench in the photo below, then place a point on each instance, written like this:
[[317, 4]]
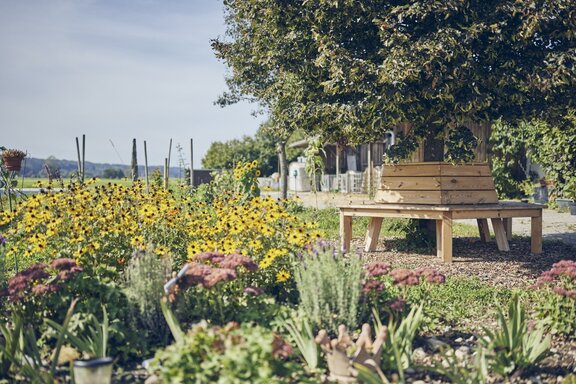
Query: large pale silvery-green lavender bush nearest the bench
[[329, 284]]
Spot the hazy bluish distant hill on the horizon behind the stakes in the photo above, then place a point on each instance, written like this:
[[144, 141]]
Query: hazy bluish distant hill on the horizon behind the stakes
[[33, 167]]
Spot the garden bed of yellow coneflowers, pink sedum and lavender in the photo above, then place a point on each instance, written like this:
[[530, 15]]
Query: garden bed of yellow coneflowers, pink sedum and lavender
[[220, 284]]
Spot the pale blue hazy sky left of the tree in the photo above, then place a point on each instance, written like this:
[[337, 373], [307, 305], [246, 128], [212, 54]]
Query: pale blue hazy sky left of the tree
[[114, 70]]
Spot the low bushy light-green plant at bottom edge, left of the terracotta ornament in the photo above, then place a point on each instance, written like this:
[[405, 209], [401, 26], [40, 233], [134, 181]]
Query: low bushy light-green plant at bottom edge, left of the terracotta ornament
[[231, 354]]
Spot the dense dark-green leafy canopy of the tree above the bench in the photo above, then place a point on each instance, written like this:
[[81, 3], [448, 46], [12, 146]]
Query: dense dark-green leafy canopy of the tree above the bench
[[348, 70]]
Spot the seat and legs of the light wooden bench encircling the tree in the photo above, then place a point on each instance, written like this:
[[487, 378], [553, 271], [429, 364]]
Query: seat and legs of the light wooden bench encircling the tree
[[500, 214]]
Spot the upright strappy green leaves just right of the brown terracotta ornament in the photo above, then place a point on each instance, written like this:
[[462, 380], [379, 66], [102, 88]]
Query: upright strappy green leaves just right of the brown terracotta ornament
[[397, 348]]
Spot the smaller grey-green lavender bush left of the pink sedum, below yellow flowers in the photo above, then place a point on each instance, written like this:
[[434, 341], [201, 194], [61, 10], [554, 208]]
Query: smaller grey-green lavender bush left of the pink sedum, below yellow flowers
[[144, 280]]
